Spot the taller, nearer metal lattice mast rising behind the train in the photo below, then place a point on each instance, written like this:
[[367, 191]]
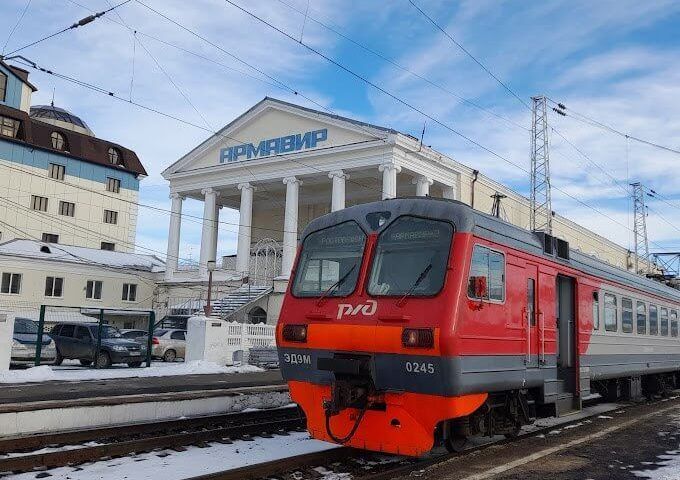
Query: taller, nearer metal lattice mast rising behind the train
[[541, 205]]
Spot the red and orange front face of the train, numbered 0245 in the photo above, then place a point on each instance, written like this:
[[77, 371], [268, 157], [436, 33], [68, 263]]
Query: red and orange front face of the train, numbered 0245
[[364, 329]]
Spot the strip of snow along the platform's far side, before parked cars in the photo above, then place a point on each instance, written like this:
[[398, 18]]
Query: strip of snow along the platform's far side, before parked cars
[[46, 373]]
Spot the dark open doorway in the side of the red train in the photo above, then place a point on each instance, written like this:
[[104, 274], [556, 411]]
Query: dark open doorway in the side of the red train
[[565, 301]]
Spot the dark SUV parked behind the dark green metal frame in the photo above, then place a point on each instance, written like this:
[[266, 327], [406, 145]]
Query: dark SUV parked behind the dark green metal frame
[[78, 341]]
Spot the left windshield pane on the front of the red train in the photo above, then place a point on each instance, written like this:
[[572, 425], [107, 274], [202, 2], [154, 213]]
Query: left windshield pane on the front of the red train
[[330, 262]]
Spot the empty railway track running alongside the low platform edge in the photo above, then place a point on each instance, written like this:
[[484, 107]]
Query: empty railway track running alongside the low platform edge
[[40, 451]]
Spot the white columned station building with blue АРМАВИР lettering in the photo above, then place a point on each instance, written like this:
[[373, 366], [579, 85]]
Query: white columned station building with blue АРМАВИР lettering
[[282, 165]]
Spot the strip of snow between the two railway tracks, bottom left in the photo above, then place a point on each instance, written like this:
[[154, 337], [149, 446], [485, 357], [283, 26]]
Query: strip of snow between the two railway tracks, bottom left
[[171, 465]]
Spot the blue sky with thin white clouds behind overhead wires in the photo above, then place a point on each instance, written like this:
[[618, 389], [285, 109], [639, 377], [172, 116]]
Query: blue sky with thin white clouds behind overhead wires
[[615, 61]]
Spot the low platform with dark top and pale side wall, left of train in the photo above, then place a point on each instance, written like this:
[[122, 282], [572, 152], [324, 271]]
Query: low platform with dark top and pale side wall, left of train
[[52, 406]]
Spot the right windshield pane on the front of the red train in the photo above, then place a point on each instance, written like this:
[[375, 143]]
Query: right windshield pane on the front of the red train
[[411, 258]]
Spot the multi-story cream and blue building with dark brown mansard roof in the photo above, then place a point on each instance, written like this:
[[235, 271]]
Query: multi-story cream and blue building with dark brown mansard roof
[[59, 183]]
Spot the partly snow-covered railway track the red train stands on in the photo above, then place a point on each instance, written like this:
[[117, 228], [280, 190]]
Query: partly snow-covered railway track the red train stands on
[[358, 464]]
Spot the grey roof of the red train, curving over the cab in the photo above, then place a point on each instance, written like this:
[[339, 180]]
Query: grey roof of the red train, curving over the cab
[[466, 219]]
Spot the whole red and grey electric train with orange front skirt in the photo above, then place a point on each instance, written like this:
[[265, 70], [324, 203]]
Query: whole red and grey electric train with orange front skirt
[[414, 321]]
